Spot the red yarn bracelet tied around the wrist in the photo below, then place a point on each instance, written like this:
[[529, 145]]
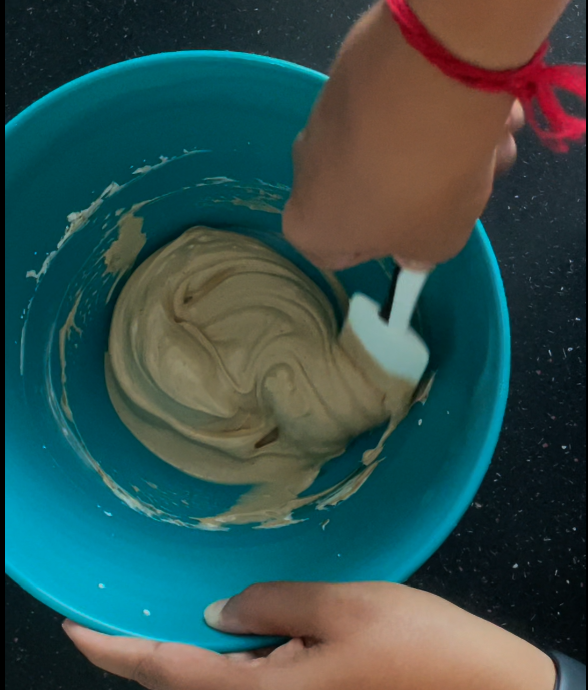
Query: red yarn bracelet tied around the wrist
[[535, 84]]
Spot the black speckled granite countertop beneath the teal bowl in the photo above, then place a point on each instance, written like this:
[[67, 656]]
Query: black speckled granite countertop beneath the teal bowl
[[518, 557]]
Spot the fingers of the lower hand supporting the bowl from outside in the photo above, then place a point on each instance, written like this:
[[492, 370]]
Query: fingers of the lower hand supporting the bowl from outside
[[160, 666]]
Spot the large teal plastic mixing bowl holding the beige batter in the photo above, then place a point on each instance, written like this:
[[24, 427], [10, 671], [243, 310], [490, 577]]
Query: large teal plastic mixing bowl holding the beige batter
[[97, 527]]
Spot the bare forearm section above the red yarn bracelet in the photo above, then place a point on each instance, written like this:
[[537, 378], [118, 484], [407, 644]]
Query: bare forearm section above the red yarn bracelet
[[496, 34]]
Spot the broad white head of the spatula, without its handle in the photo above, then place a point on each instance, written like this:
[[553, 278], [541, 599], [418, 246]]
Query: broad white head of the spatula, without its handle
[[400, 353]]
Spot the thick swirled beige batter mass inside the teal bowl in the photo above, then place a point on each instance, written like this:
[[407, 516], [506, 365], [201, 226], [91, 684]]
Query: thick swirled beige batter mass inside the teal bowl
[[224, 360]]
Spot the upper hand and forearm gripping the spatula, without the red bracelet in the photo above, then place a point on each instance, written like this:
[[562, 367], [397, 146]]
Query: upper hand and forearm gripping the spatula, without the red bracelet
[[399, 158]]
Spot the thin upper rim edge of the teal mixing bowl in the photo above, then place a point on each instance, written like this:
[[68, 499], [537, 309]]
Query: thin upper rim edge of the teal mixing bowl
[[451, 518]]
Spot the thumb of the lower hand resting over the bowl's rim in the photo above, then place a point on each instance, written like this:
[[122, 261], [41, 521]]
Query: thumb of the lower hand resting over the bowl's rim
[[286, 609]]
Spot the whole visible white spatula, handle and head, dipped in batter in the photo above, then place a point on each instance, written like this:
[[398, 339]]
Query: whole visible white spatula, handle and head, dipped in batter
[[386, 333]]
